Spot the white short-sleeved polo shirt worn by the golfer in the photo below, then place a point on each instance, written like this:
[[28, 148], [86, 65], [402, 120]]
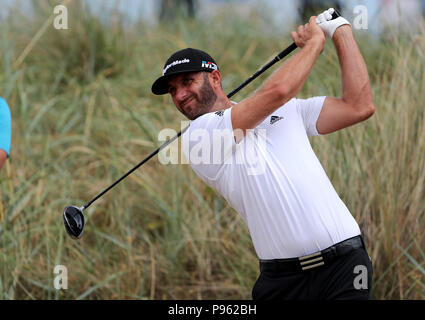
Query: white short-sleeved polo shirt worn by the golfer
[[273, 179]]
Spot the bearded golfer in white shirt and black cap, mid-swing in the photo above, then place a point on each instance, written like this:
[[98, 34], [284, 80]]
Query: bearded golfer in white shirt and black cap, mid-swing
[[308, 243]]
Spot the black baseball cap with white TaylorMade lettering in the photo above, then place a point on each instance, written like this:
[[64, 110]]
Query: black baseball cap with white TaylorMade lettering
[[186, 60]]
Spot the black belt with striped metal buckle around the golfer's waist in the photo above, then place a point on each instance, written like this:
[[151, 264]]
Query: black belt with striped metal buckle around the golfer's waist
[[314, 260]]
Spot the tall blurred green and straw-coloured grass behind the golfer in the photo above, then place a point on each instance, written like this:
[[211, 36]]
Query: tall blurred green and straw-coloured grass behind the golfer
[[83, 115]]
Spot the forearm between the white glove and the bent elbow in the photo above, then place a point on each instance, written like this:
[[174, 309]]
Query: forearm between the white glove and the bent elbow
[[355, 80]]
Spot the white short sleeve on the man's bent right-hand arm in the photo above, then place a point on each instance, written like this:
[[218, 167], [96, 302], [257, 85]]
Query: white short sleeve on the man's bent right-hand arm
[[310, 110]]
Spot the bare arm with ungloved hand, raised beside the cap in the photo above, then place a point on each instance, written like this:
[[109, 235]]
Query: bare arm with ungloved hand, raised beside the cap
[[285, 83]]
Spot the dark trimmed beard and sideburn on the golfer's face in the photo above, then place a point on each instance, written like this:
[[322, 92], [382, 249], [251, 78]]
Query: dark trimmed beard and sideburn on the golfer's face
[[204, 101]]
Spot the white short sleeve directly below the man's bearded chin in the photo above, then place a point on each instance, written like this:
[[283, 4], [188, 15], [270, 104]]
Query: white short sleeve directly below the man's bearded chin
[[209, 144]]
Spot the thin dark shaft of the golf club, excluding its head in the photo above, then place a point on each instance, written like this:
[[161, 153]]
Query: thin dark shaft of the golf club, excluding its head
[[280, 56]]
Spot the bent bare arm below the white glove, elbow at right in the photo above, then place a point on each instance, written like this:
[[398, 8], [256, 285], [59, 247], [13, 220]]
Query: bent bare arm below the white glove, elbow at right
[[356, 104]]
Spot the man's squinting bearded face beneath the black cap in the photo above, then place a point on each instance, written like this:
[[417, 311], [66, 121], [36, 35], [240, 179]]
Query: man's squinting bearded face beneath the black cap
[[192, 93]]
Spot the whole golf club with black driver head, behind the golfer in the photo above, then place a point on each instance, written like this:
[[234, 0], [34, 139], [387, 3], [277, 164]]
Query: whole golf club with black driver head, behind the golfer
[[73, 216]]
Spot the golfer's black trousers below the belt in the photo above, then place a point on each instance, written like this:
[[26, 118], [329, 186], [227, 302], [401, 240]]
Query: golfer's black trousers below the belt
[[348, 277]]
